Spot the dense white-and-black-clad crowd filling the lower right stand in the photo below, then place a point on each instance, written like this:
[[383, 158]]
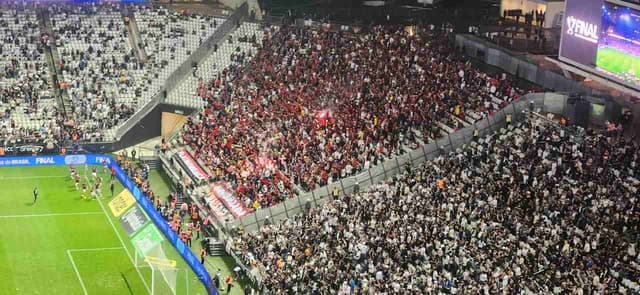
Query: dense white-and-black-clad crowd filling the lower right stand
[[534, 211]]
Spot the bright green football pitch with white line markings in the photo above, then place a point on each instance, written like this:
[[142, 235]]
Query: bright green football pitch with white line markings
[[38, 242]]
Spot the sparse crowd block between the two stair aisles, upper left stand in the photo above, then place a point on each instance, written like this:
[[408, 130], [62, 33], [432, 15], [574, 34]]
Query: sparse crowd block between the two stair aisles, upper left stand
[[98, 65]]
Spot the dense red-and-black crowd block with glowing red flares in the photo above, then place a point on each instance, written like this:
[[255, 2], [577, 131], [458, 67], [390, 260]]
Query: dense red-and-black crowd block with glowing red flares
[[314, 106]]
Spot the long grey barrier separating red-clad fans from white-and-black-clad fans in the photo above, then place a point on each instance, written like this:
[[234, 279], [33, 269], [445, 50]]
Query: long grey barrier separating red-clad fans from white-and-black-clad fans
[[544, 102]]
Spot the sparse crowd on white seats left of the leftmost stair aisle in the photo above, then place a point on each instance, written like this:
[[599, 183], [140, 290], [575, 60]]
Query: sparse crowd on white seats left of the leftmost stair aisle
[[28, 109]]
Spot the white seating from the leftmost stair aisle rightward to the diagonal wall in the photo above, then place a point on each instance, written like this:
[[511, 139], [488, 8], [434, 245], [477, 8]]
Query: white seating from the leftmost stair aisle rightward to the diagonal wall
[[105, 79]]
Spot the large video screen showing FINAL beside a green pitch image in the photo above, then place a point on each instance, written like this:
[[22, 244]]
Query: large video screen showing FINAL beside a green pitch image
[[604, 37]]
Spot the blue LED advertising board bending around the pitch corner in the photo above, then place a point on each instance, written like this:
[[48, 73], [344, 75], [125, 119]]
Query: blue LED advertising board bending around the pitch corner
[[144, 203]]
